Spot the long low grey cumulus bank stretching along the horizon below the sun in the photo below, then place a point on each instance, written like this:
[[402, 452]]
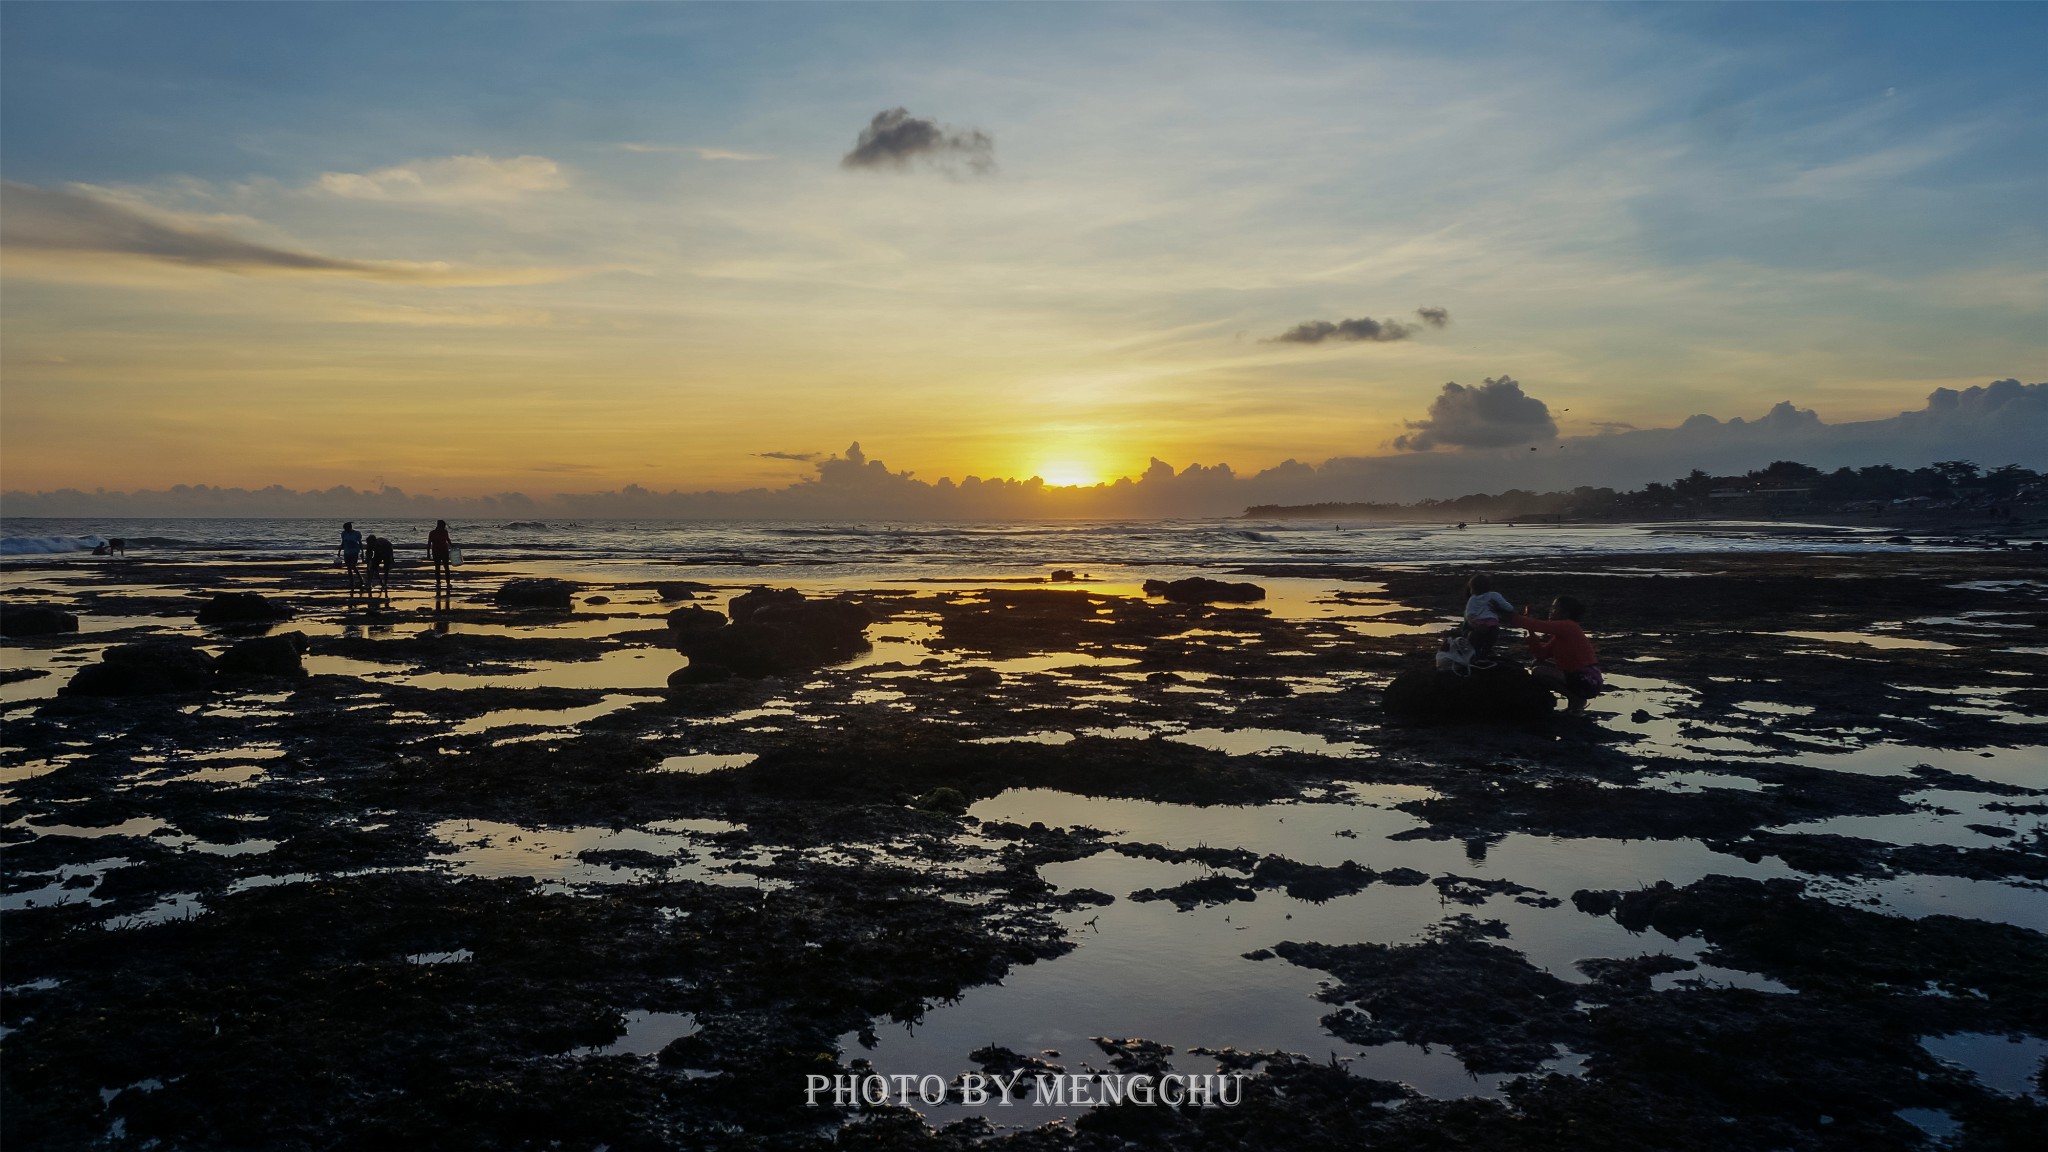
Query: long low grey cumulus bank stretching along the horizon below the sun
[[1992, 425]]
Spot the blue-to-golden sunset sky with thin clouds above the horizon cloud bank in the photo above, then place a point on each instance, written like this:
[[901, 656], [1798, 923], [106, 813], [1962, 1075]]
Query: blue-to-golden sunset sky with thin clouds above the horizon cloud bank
[[476, 249]]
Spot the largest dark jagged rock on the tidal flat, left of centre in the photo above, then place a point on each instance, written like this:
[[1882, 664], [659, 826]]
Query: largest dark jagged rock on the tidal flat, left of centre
[[773, 632]]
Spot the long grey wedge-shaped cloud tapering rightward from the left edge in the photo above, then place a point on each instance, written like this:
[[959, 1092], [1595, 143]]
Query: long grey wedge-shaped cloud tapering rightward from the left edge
[[73, 224]]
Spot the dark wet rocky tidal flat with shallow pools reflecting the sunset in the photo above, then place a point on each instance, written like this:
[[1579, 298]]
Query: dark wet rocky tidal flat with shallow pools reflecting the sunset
[[482, 878]]
